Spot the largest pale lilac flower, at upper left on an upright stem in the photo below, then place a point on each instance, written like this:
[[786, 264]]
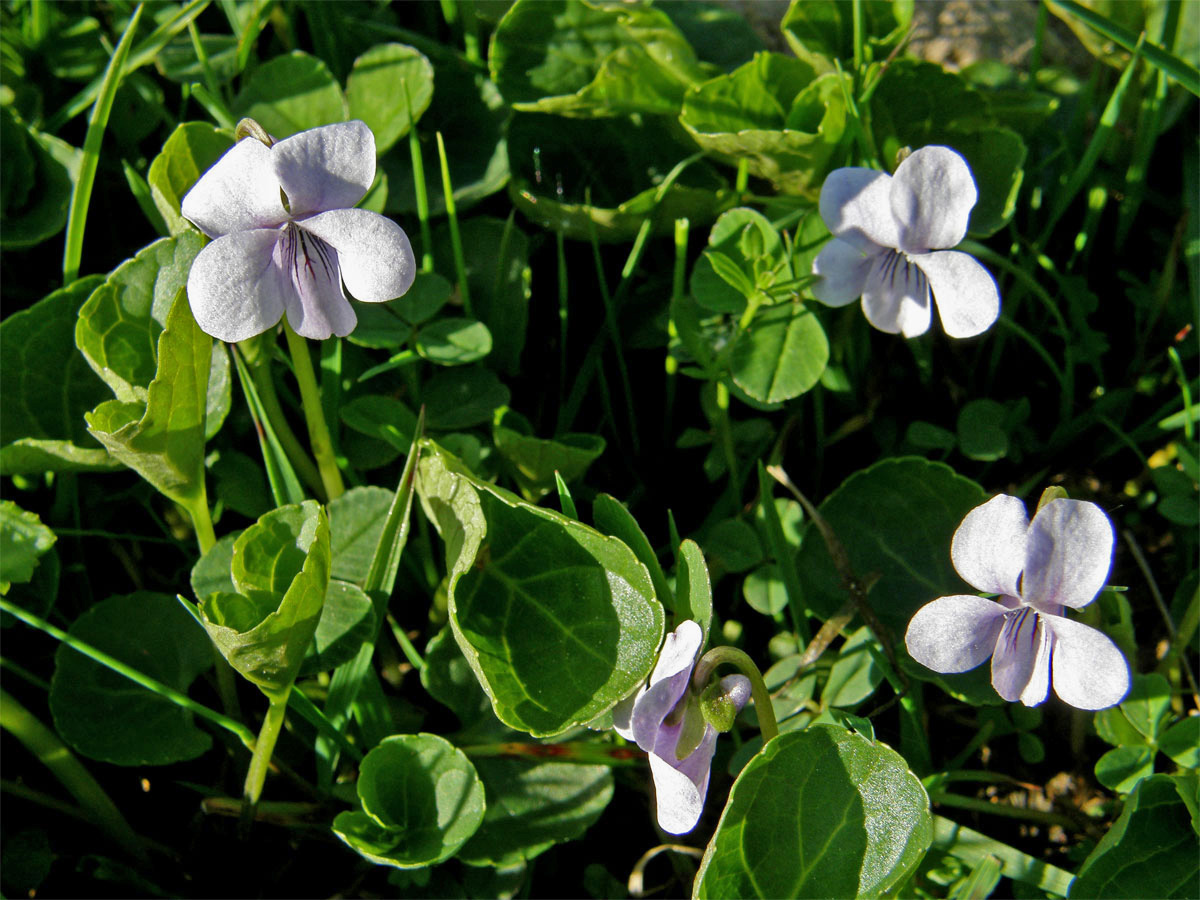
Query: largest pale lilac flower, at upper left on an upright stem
[[287, 237]]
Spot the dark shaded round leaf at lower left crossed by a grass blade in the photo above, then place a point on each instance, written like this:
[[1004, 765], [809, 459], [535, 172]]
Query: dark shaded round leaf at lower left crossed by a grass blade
[[107, 717]]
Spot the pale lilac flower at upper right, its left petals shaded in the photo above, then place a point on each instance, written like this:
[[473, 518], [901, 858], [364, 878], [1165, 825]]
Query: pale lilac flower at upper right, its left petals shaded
[[891, 241]]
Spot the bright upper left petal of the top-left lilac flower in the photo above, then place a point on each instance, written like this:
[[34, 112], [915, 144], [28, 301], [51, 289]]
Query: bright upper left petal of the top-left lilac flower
[[239, 193]]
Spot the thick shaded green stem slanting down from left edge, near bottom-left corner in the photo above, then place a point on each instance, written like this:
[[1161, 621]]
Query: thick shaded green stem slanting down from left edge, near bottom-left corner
[[52, 753]]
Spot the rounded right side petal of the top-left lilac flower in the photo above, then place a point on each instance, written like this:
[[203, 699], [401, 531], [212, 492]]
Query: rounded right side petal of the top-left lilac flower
[[375, 255]]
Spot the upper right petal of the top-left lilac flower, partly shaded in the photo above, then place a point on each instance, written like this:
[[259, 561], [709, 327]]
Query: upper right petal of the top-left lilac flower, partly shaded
[[326, 169]]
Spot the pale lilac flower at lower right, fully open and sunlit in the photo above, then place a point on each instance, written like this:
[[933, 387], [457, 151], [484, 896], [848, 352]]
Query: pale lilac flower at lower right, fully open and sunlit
[[1039, 569]]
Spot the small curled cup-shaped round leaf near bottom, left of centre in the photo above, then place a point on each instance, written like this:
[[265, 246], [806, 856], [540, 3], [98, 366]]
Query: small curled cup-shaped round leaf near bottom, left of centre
[[422, 801]]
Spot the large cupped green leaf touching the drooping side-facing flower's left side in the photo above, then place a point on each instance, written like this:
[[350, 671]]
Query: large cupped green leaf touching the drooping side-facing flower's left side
[[559, 622]]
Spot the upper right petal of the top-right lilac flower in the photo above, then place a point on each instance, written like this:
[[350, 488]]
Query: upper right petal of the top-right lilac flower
[[932, 197]]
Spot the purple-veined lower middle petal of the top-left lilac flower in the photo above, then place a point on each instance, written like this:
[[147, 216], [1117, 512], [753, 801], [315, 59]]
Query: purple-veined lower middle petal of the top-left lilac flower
[[316, 308]]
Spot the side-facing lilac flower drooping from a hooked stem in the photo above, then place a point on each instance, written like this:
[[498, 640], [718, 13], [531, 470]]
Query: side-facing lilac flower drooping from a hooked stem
[[652, 719]]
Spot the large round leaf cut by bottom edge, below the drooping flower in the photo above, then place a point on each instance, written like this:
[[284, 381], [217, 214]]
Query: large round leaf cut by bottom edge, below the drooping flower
[[819, 813]]
